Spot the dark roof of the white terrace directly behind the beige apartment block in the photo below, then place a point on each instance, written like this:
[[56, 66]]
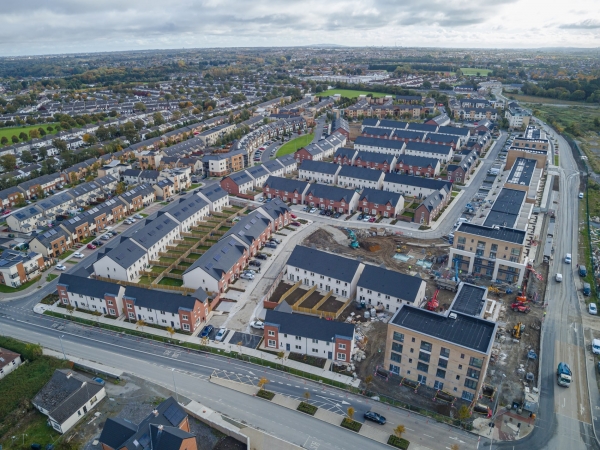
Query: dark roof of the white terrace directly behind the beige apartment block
[[389, 282]]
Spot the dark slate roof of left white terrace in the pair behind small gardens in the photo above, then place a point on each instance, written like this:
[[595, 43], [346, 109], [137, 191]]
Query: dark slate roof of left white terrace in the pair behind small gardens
[[323, 263]]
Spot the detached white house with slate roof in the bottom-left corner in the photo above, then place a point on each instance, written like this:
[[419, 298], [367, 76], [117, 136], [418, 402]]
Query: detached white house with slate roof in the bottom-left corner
[[67, 398]]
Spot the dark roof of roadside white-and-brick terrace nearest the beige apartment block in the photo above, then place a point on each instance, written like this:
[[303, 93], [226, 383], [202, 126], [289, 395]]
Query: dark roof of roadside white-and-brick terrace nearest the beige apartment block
[[308, 326]]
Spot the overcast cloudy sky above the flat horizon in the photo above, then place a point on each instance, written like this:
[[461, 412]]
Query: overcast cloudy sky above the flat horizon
[[65, 26]]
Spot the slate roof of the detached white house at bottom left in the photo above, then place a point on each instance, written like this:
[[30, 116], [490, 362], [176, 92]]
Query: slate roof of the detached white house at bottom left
[[65, 393]]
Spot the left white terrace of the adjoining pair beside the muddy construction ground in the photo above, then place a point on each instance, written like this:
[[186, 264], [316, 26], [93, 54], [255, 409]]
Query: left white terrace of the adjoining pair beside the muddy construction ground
[[327, 271]]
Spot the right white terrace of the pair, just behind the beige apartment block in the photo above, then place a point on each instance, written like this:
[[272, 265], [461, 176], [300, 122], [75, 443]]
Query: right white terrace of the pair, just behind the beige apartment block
[[378, 286]]
